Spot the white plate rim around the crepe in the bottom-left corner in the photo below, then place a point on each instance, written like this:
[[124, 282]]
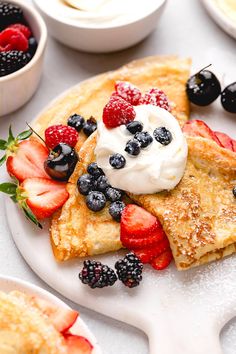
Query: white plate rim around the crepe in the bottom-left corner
[[8, 284]]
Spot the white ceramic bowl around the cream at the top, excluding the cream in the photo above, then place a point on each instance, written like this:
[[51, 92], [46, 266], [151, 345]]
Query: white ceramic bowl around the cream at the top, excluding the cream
[[100, 39]]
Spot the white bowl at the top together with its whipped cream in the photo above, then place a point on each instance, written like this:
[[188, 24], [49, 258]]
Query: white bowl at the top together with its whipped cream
[[100, 26]]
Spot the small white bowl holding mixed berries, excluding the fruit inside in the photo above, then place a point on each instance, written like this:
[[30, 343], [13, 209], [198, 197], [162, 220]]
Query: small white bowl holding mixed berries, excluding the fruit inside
[[17, 88]]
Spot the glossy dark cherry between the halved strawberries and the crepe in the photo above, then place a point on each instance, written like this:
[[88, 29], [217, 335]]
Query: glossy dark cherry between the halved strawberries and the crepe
[[61, 162]]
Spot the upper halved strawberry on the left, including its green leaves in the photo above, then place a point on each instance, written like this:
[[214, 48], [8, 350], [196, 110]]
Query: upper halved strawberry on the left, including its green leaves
[[24, 157]]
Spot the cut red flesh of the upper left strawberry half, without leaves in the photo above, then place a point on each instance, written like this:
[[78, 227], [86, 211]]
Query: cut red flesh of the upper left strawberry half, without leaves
[[28, 160]]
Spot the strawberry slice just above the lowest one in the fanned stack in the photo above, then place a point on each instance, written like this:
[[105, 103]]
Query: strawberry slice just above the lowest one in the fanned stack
[[147, 254]]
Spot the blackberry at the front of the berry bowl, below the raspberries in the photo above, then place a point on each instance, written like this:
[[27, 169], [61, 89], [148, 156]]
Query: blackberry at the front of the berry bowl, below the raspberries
[[12, 61]]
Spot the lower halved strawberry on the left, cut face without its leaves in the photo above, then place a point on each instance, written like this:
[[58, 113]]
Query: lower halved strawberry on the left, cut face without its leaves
[[44, 196]]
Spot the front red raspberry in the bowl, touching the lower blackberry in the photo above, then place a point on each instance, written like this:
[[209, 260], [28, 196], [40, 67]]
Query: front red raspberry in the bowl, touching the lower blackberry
[[15, 38]]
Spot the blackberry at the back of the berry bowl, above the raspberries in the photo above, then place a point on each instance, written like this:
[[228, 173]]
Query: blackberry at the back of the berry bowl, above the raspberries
[[10, 13]]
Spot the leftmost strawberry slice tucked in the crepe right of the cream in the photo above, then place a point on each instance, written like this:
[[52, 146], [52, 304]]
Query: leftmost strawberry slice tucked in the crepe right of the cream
[[200, 128]]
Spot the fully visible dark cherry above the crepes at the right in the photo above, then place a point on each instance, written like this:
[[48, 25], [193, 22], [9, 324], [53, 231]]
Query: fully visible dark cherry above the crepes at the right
[[203, 87]]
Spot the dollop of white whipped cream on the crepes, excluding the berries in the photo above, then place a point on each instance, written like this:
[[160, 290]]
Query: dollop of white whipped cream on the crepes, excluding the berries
[[158, 167]]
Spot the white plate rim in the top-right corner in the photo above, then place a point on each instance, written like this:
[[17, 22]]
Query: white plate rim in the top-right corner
[[221, 18]]
